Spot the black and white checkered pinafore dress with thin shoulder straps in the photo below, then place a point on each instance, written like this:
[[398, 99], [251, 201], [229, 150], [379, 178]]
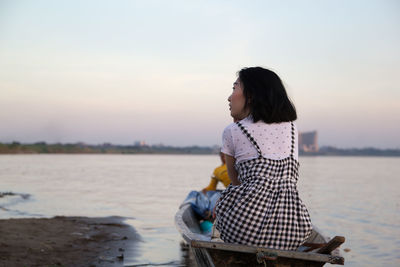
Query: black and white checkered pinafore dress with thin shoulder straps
[[265, 209]]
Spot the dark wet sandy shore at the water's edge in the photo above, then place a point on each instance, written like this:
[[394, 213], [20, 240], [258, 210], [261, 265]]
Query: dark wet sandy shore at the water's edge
[[65, 241]]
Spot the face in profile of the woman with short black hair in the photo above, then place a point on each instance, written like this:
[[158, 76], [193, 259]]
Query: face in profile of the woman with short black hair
[[237, 102]]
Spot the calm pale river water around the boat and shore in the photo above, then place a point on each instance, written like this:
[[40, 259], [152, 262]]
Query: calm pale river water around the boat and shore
[[356, 197]]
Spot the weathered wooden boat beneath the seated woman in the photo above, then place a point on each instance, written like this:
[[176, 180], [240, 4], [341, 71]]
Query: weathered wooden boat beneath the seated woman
[[317, 250]]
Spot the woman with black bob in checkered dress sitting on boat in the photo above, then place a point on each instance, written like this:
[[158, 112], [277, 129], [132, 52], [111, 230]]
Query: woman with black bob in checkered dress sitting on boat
[[262, 206]]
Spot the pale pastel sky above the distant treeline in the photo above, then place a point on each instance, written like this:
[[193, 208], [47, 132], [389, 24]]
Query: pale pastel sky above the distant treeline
[[161, 71]]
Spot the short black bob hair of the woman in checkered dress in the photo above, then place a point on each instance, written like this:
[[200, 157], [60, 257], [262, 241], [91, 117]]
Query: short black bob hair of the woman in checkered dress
[[266, 96]]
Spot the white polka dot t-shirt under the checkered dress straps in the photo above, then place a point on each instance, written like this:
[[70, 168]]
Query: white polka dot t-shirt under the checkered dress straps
[[273, 139]]
